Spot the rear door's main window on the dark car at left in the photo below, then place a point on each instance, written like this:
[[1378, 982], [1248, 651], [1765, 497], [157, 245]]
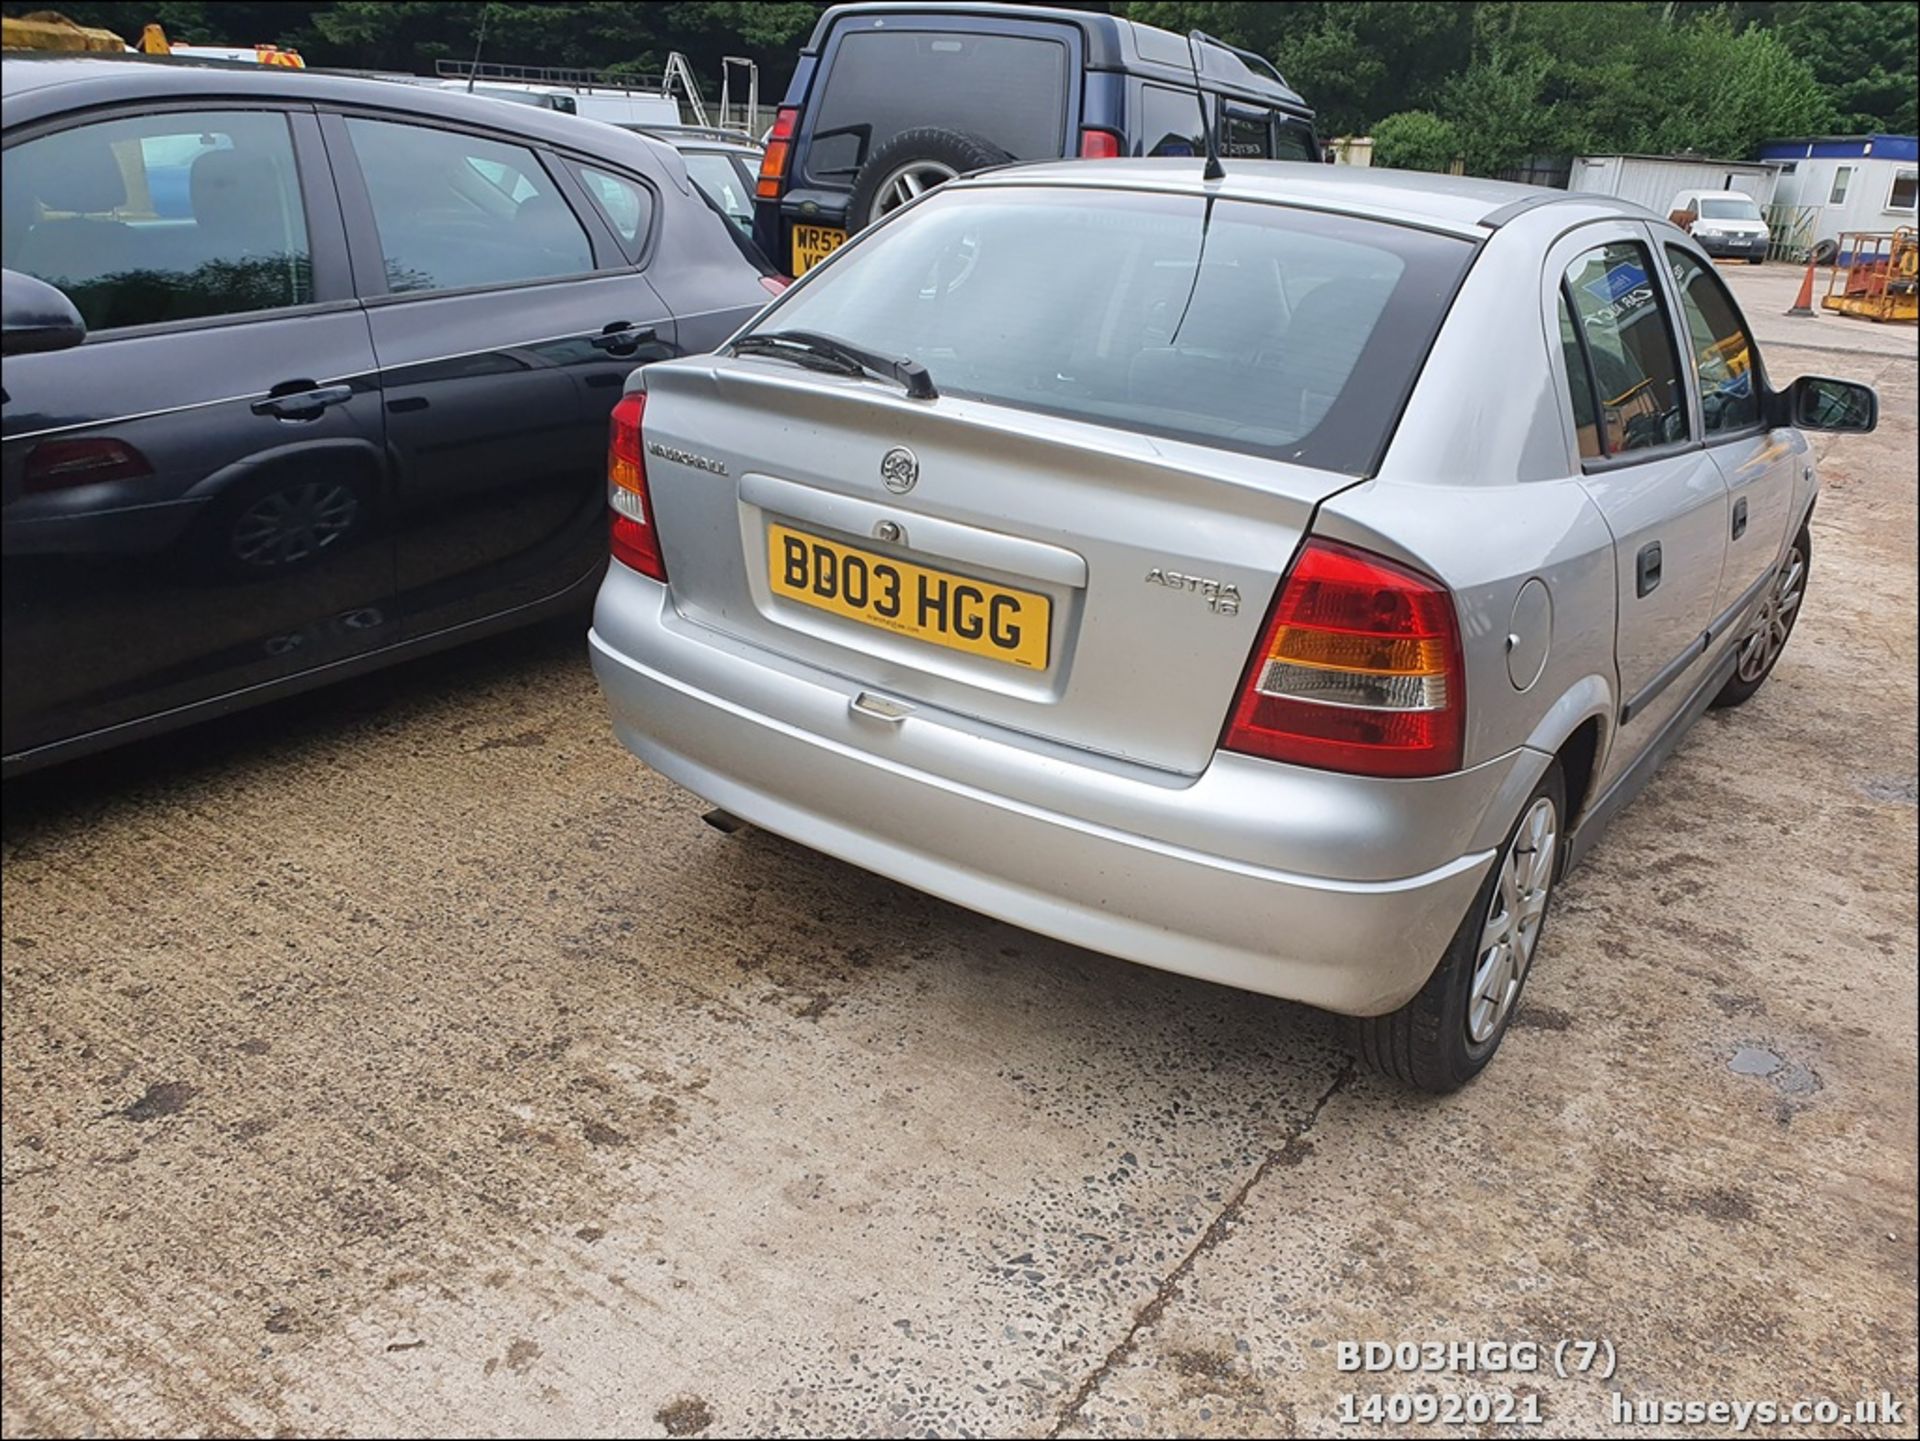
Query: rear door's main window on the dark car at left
[[458, 212]]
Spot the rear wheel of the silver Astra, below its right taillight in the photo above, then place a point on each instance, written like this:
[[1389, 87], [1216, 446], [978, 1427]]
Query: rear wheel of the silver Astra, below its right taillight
[[1449, 1033]]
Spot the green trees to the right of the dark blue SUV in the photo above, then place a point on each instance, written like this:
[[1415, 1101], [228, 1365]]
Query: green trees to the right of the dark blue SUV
[[1560, 78]]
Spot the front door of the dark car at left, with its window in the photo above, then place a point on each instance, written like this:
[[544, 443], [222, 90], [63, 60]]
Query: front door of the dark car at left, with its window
[[195, 498]]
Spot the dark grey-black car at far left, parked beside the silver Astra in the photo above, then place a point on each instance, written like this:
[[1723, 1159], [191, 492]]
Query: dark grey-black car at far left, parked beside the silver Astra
[[348, 360]]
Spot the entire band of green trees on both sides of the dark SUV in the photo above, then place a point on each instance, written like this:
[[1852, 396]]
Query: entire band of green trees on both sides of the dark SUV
[[1512, 78]]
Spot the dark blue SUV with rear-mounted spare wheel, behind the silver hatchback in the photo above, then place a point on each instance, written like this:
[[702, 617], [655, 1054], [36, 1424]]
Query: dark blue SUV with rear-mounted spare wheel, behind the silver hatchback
[[892, 99]]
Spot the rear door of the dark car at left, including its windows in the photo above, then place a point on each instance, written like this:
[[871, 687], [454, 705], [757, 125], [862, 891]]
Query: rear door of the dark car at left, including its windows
[[506, 316]]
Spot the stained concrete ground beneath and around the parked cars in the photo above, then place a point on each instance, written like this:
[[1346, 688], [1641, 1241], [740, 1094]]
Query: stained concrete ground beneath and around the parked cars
[[408, 1060]]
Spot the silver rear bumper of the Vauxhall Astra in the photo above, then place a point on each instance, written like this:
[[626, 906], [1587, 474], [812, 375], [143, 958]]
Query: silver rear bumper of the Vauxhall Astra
[[1172, 872]]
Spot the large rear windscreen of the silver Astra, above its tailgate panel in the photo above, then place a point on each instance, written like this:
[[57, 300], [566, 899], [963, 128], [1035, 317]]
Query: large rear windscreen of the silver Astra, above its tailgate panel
[[1260, 329]]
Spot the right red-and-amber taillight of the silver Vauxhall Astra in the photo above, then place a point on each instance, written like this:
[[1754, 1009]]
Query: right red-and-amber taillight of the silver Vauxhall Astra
[[1356, 671]]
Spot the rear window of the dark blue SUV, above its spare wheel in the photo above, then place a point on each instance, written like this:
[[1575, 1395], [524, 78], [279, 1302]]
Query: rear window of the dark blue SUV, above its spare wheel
[[1007, 89]]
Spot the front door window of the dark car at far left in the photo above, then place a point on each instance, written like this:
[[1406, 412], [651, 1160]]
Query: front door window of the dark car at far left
[[162, 218]]
